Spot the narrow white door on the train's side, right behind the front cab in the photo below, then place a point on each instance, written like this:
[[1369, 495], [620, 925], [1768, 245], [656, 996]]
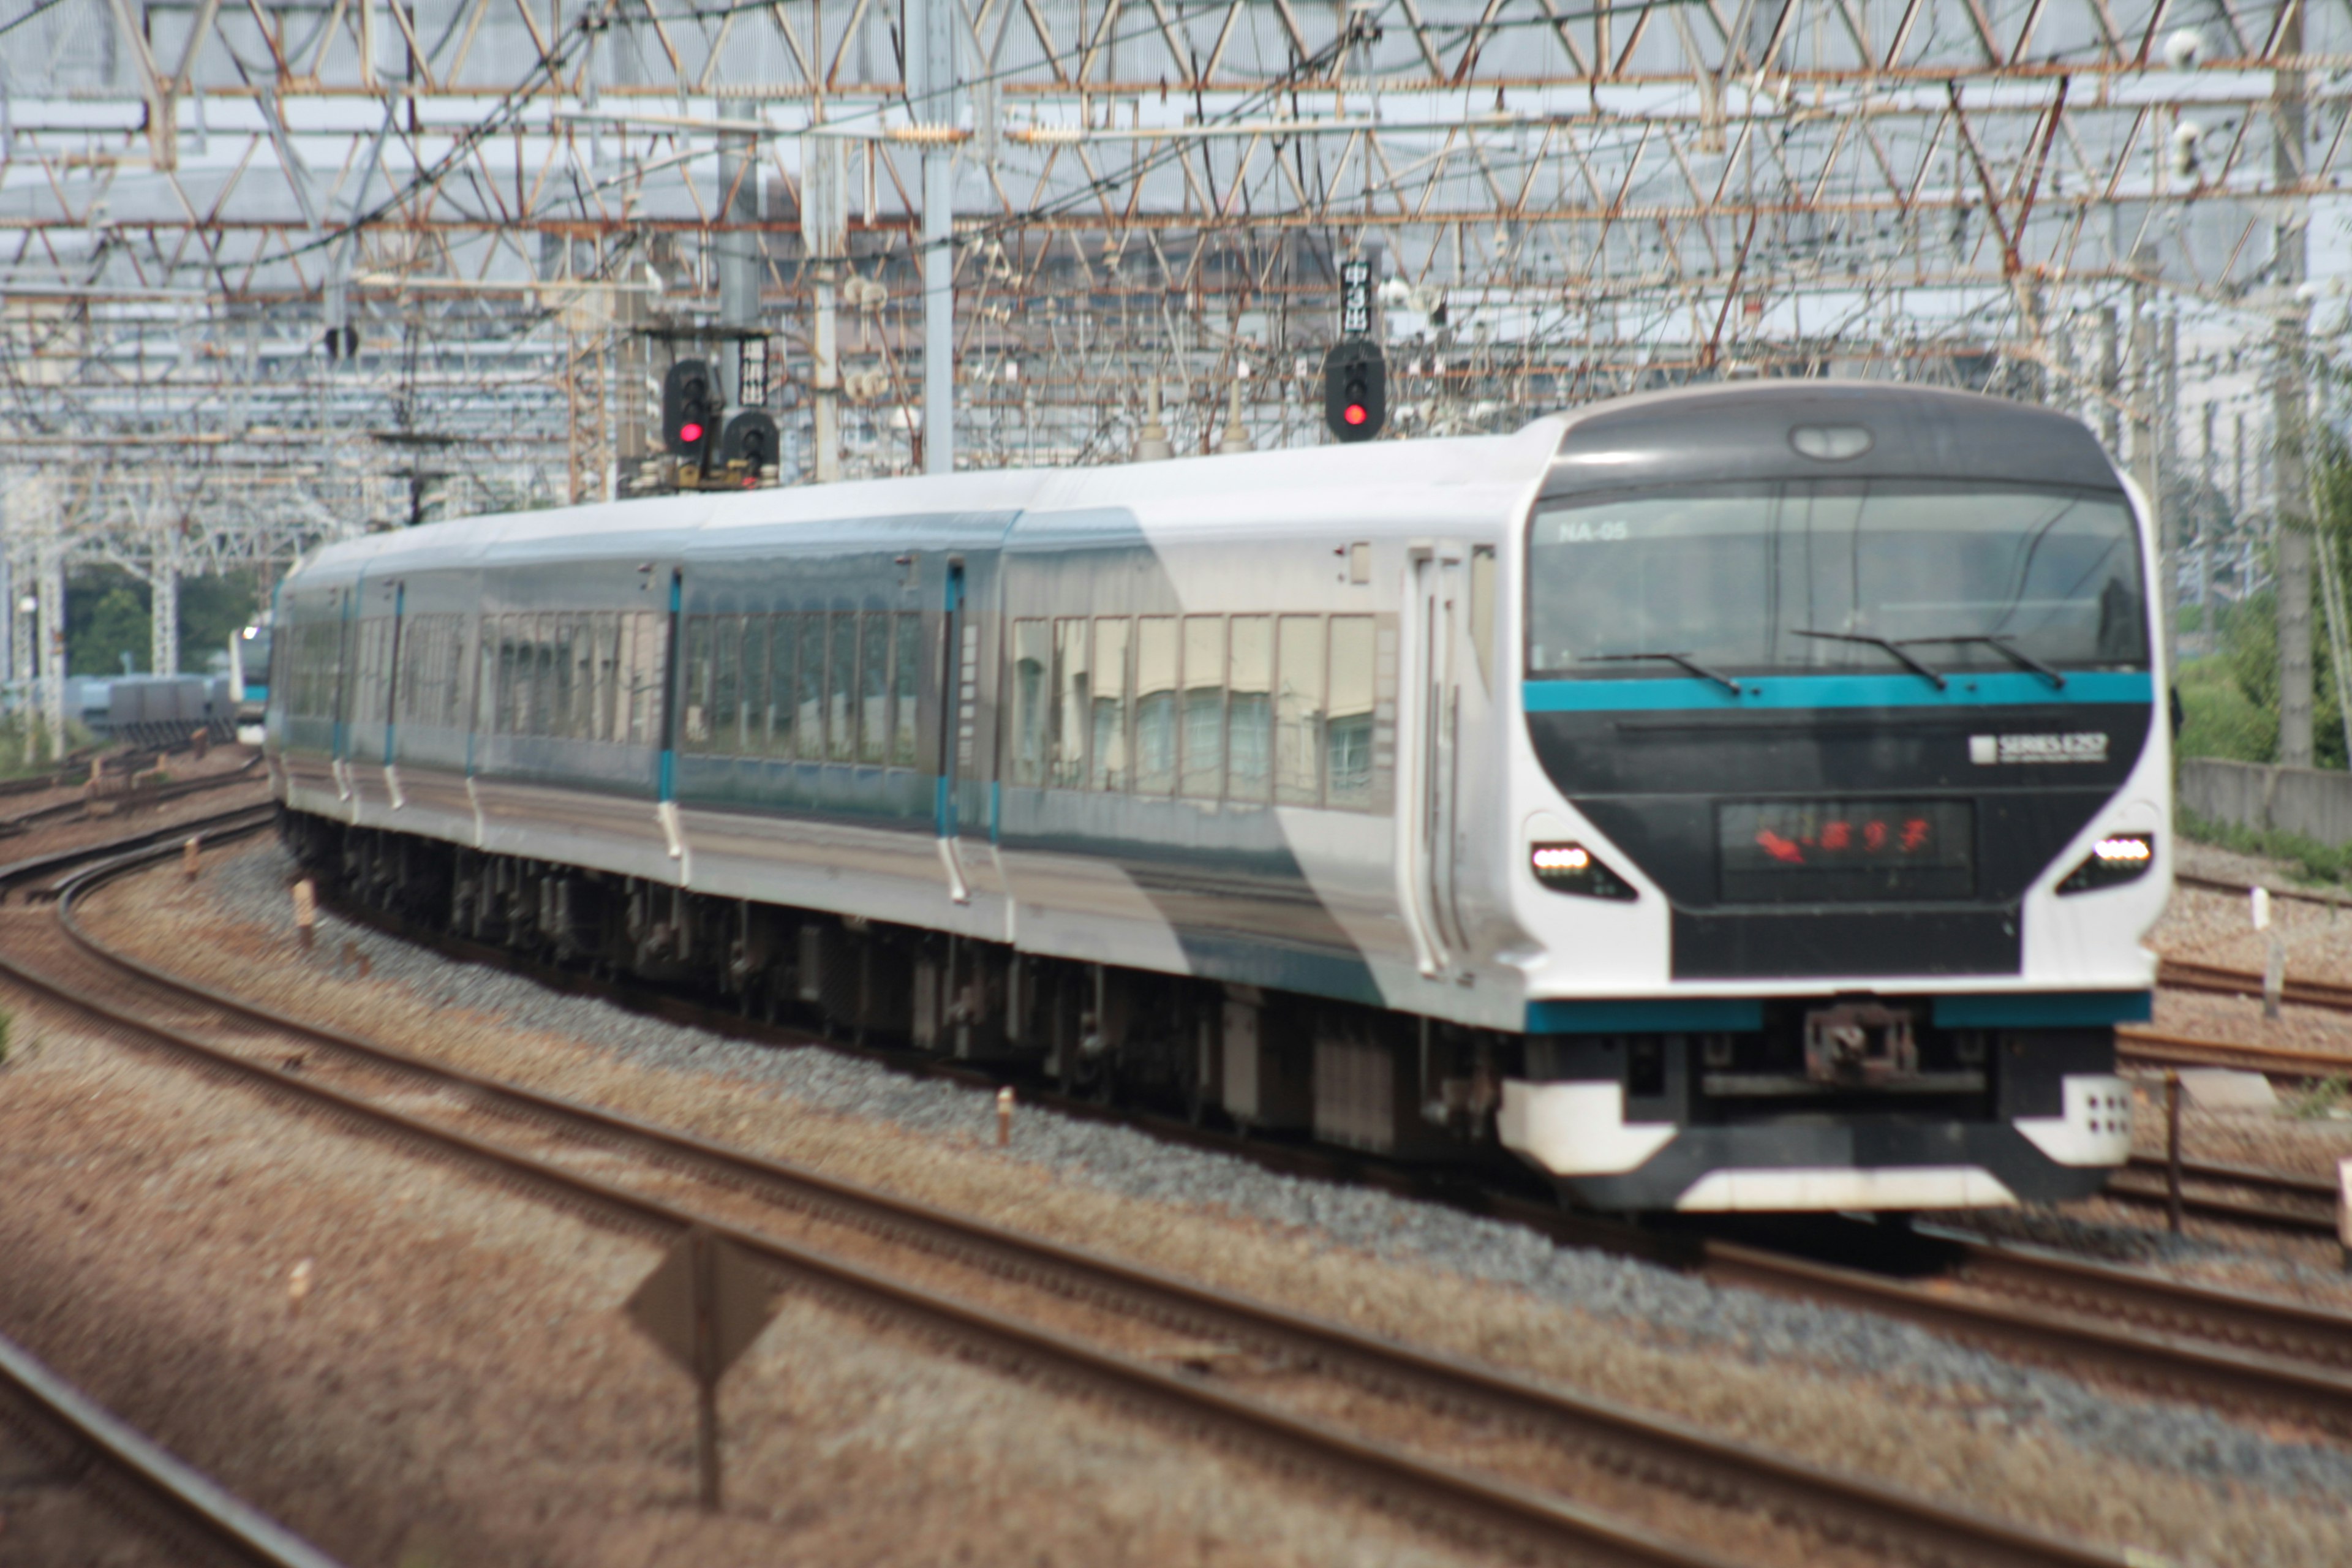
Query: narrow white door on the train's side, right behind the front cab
[[1429, 798]]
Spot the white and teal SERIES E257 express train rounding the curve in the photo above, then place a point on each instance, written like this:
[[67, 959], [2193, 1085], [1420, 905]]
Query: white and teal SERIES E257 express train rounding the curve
[[1723, 800]]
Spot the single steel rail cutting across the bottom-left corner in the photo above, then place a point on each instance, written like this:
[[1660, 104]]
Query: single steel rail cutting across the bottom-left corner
[[189, 1513]]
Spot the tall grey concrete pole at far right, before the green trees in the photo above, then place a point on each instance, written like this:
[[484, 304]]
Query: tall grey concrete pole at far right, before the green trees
[[2292, 476]]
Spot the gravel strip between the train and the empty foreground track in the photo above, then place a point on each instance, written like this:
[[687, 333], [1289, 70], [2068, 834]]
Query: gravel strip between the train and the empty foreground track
[[1836, 1386]]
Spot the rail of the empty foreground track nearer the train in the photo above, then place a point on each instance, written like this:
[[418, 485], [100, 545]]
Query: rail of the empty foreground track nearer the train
[[1648, 1447]]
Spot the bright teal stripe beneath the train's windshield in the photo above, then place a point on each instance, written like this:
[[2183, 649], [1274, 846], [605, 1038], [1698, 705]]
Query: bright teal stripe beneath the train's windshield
[[1986, 690]]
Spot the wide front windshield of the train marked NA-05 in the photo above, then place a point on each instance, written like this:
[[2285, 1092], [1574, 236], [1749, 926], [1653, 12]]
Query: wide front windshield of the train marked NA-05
[[1836, 577]]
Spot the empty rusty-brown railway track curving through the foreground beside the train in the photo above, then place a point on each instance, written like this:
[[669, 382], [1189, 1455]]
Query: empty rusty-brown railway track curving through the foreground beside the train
[[1278, 1383]]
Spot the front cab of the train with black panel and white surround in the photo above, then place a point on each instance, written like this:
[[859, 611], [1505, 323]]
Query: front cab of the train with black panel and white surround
[[1843, 805]]
